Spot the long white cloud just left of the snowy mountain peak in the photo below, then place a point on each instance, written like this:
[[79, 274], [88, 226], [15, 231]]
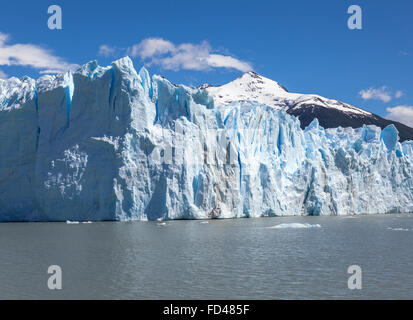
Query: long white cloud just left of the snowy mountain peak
[[185, 56]]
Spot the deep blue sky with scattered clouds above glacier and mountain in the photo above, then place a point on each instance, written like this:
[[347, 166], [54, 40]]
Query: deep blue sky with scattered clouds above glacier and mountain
[[304, 45]]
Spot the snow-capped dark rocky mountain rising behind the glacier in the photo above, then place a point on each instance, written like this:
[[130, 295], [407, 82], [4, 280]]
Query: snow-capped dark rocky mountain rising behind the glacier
[[330, 113]]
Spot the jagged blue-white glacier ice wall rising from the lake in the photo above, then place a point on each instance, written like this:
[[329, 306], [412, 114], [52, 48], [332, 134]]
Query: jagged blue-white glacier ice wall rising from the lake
[[110, 143]]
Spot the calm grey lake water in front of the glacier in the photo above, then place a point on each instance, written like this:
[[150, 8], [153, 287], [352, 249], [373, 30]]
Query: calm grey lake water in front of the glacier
[[221, 259]]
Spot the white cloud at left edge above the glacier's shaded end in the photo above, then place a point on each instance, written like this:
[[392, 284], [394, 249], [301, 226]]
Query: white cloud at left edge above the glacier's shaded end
[[30, 55]]
